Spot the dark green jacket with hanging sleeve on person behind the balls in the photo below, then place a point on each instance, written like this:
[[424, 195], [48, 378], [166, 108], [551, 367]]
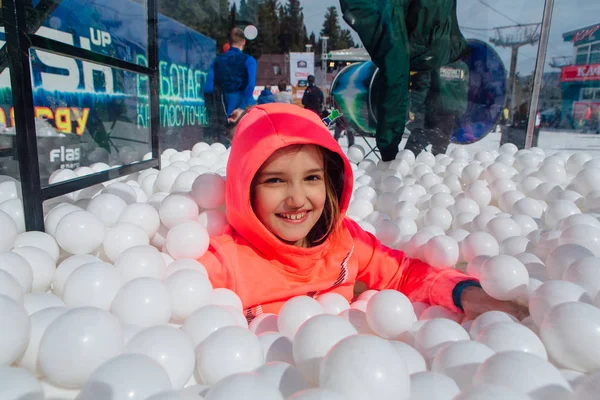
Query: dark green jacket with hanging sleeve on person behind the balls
[[400, 36]]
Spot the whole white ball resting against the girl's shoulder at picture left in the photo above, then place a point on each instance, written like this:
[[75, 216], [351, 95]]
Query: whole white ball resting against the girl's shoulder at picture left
[[187, 240]]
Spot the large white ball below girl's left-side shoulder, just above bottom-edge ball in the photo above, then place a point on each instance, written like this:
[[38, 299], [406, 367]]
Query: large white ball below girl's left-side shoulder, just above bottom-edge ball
[[228, 351]]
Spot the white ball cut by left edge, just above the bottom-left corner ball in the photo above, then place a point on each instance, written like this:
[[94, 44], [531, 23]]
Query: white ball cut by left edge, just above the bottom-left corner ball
[[16, 332]]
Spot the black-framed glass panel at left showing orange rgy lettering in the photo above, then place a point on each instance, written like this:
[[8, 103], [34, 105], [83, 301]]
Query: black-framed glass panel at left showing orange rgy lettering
[[87, 114]]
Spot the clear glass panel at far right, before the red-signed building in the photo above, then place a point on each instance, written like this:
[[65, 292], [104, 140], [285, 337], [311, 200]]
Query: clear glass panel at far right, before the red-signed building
[[569, 106]]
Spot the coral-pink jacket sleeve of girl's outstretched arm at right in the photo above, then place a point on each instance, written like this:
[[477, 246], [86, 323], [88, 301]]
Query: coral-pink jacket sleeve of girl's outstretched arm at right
[[381, 267]]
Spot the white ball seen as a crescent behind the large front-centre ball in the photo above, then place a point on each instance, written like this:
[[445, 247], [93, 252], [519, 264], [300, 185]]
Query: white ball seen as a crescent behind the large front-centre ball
[[313, 341]]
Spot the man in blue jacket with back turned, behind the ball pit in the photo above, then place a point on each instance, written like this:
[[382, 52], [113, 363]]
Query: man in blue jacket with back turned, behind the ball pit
[[235, 74]]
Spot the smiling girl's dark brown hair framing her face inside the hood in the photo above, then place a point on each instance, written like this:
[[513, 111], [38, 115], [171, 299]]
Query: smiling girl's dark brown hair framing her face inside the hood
[[334, 185]]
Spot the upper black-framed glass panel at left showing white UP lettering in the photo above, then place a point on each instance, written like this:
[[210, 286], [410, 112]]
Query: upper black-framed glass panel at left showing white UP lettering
[[112, 27]]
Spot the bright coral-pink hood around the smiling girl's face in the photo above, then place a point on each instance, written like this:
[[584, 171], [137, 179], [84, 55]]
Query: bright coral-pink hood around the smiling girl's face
[[262, 131]]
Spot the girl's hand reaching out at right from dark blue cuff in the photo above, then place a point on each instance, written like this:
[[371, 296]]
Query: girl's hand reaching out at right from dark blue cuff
[[475, 302]]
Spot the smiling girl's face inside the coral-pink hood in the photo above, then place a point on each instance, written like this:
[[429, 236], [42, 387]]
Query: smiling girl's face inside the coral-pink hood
[[289, 192]]
